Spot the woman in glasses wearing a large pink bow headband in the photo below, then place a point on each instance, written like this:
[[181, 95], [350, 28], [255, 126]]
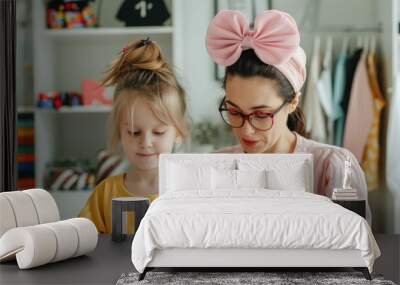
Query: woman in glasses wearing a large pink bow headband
[[265, 71]]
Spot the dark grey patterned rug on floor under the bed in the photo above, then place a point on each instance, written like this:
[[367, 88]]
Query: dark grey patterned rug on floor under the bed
[[229, 278]]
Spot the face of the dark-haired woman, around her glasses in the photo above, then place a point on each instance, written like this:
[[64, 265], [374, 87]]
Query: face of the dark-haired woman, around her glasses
[[256, 94]]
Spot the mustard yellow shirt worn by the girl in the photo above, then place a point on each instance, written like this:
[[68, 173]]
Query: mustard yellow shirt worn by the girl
[[99, 205]]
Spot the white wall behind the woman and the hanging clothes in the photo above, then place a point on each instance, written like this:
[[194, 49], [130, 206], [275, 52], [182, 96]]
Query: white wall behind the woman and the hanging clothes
[[311, 16]]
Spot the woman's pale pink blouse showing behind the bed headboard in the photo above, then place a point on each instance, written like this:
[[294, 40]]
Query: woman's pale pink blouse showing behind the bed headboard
[[328, 167]]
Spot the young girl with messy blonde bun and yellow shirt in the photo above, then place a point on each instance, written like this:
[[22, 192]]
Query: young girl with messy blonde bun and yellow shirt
[[148, 118]]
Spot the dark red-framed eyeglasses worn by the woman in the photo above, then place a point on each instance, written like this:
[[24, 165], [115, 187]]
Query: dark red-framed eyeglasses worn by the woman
[[259, 120]]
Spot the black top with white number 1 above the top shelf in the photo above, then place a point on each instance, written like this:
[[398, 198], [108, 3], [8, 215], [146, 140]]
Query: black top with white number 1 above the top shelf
[[143, 13]]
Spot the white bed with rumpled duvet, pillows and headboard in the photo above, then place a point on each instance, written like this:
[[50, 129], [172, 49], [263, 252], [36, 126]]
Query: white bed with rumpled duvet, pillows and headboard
[[200, 223]]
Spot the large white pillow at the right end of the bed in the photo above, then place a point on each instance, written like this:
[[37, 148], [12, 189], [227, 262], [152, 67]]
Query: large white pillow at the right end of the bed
[[293, 178]]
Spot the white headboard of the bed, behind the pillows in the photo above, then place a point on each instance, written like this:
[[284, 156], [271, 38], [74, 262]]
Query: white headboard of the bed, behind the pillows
[[280, 162]]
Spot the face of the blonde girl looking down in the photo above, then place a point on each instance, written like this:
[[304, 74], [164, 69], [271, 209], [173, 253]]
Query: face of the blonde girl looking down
[[144, 136]]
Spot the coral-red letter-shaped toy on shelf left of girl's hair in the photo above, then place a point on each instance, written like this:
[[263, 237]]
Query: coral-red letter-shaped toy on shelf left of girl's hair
[[96, 94]]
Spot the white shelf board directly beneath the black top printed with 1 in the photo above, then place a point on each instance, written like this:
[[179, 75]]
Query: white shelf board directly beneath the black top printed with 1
[[108, 31]]
